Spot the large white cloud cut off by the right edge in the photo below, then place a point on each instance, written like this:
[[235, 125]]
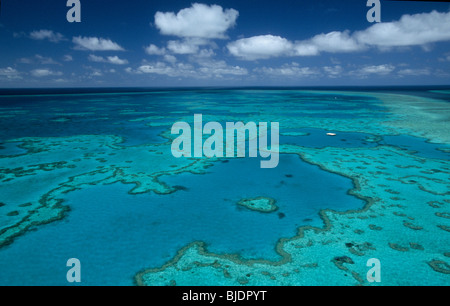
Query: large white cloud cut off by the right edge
[[410, 30]]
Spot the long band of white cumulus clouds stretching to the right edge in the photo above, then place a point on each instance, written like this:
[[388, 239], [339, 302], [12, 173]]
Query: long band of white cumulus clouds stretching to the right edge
[[410, 30]]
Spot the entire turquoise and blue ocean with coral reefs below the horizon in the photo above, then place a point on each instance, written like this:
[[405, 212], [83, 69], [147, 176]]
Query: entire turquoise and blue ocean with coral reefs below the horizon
[[89, 174]]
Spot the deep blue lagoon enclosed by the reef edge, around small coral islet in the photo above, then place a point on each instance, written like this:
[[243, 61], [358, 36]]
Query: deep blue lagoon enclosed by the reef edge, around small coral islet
[[115, 234]]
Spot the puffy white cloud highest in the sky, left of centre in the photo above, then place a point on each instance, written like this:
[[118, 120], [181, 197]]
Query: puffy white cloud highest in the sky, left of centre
[[200, 20]]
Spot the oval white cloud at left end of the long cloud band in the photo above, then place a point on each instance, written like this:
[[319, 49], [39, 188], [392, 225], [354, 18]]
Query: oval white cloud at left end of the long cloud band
[[260, 47]]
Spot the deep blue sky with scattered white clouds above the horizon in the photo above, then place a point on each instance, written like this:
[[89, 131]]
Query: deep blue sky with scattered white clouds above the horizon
[[177, 43]]
